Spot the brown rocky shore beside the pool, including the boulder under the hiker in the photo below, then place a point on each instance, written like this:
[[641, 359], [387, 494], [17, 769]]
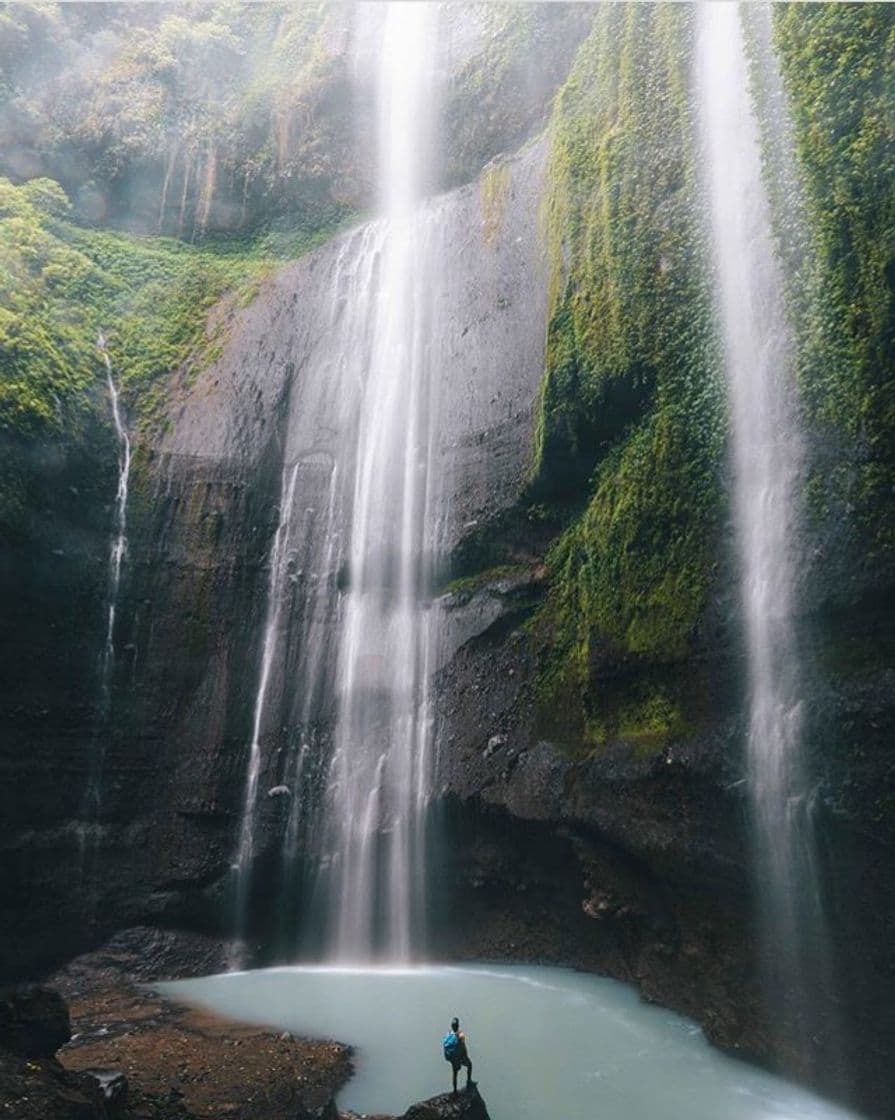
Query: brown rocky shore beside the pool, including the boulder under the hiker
[[114, 1050]]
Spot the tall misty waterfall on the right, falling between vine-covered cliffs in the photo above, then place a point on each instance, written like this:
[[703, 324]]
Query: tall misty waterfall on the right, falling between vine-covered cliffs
[[767, 454]]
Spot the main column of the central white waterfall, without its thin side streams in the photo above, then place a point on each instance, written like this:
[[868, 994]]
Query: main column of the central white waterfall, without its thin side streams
[[380, 768]]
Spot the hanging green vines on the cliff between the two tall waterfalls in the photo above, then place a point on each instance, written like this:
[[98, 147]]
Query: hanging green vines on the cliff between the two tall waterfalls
[[632, 408]]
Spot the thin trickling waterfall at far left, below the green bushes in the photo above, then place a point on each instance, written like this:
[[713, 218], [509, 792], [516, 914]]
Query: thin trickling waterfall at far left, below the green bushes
[[117, 552]]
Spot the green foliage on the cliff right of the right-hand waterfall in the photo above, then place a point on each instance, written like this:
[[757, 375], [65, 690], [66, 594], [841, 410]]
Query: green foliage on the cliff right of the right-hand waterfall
[[838, 64]]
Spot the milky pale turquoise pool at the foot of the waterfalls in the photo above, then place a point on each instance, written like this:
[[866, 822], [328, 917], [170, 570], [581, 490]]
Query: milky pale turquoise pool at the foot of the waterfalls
[[547, 1043]]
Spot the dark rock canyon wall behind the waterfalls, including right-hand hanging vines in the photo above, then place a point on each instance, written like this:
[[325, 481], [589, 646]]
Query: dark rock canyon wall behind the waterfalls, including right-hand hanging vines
[[591, 703]]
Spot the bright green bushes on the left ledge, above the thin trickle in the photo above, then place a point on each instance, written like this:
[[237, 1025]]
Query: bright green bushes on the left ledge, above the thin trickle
[[61, 285]]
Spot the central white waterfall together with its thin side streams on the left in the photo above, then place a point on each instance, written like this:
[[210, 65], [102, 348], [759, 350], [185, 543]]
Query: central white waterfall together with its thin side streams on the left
[[381, 534]]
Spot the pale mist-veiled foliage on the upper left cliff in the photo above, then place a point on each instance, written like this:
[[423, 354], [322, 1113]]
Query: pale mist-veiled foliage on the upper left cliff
[[181, 117]]
